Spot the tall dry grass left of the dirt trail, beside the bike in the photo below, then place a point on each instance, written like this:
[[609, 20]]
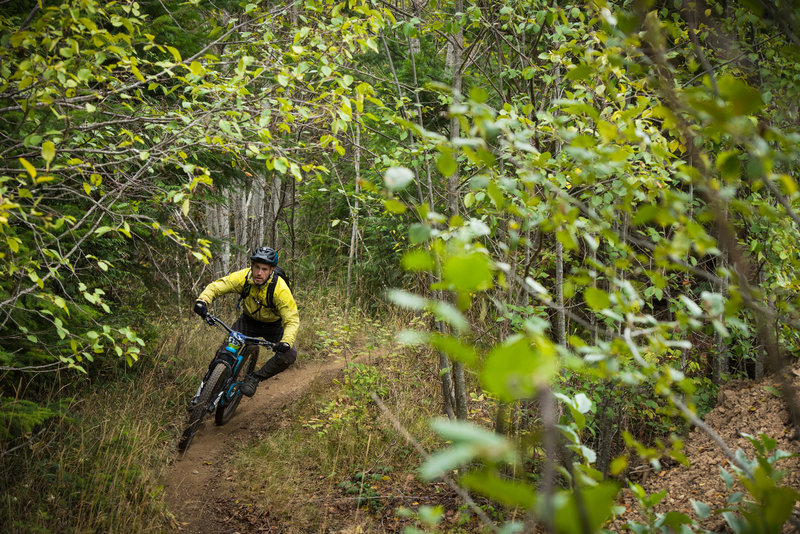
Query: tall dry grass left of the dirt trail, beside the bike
[[96, 470]]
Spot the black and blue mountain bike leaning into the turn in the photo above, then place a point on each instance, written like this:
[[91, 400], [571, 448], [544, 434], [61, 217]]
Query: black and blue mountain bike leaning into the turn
[[219, 390]]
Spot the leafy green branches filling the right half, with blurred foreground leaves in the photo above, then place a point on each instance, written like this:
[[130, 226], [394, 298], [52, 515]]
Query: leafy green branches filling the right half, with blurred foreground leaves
[[648, 171]]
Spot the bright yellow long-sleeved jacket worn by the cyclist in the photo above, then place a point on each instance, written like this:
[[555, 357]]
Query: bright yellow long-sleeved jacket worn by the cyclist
[[255, 304]]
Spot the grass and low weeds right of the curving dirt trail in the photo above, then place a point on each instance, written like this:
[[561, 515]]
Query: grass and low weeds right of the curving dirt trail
[[317, 467]]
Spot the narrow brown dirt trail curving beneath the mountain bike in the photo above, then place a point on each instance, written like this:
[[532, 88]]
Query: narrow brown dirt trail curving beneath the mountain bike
[[196, 483]]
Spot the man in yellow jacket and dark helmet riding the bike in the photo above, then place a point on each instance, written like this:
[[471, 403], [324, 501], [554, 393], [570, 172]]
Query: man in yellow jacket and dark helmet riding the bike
[[275, 319]]
